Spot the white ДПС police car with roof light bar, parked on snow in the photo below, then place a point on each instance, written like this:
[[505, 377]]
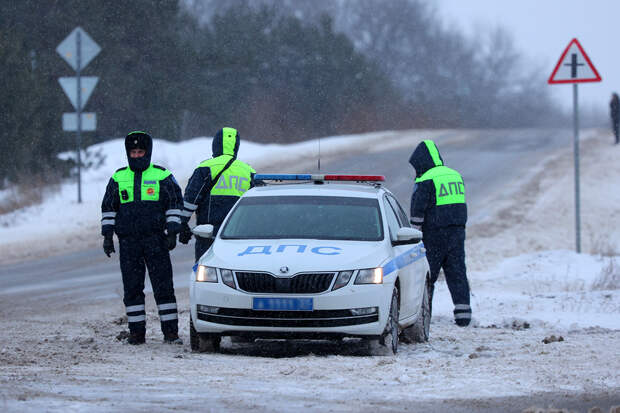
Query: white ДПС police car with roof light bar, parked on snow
[[312, 256]]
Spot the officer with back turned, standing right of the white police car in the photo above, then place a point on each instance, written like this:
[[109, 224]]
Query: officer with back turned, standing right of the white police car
[[438, 208]]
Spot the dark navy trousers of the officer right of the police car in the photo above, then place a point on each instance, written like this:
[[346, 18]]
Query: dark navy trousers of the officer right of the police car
[[445, 248]]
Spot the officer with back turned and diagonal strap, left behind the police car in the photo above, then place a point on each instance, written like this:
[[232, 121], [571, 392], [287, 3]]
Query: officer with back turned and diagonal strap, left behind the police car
[[215, 186]]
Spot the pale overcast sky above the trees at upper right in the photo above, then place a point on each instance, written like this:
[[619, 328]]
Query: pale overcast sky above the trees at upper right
[[543, 28]]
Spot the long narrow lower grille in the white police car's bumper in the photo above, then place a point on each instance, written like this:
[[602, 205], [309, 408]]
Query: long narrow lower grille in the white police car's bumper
[[316, 318]]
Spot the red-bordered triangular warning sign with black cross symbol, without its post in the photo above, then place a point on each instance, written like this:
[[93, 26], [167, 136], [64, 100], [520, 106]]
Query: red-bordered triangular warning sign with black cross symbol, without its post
[[574, 66]]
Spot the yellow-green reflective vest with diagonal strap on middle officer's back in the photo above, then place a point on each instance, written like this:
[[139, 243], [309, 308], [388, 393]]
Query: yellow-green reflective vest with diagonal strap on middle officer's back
[[234, 181]]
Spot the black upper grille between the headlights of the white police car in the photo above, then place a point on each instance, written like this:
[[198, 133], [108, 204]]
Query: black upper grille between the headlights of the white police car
[[260, 282]]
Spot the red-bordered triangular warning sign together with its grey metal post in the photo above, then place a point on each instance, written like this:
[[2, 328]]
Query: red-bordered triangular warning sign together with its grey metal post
[[575, 67]]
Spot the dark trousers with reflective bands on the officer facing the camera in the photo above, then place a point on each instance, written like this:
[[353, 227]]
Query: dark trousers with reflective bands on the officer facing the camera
[[152, 251]]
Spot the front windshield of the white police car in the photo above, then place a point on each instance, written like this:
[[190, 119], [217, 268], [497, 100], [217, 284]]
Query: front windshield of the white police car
[[314, 217]]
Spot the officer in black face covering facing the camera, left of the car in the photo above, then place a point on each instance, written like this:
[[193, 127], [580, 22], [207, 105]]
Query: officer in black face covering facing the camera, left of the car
[[143, 205]]
